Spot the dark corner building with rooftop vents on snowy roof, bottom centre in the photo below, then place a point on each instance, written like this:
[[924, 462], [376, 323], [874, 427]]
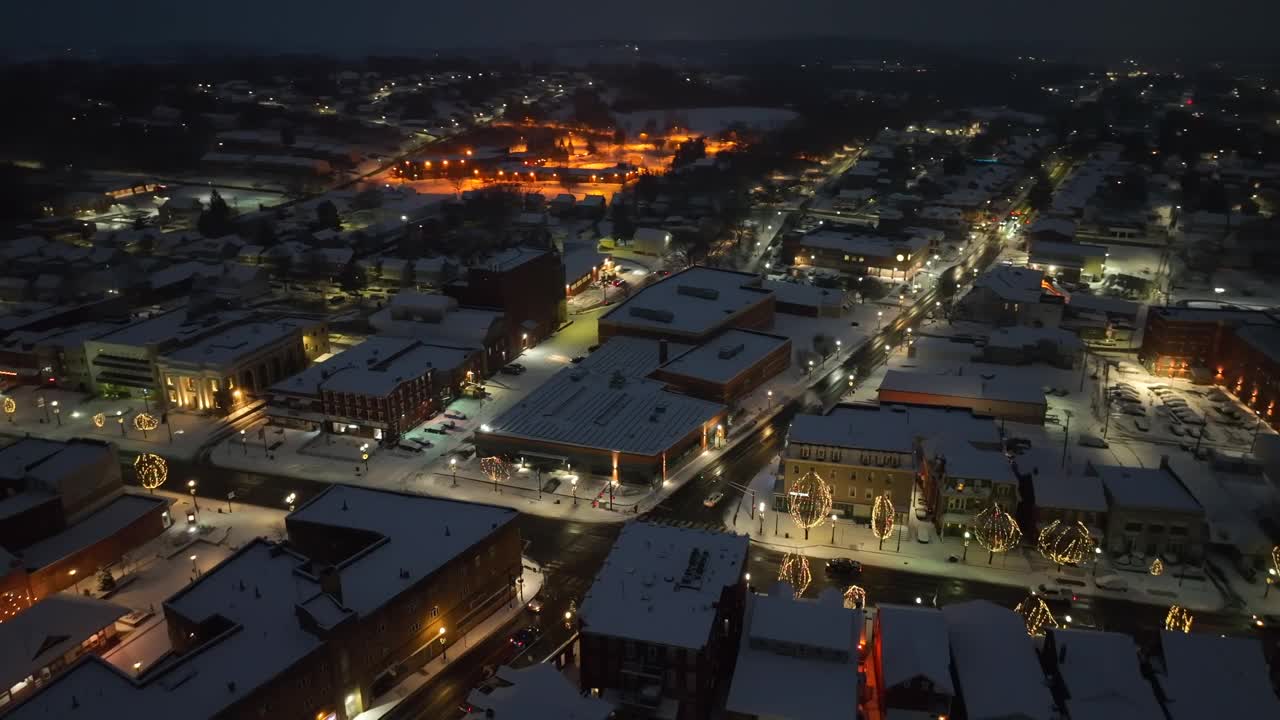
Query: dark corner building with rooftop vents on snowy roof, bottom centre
[[662, 621]]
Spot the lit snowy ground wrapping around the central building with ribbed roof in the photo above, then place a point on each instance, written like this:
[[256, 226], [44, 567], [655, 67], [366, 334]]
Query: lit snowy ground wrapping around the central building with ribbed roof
[[440, 472]]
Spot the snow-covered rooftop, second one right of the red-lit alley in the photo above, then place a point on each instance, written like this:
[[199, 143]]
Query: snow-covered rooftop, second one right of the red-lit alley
[[996, 664]]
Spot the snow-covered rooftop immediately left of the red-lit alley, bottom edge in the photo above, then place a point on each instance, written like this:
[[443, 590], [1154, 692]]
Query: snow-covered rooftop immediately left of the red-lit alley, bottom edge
[[828, 668]]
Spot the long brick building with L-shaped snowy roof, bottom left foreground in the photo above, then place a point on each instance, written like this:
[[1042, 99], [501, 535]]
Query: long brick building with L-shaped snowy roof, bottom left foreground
[[371, 585]]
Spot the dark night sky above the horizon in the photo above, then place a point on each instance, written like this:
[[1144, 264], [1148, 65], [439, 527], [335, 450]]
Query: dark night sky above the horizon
[[358, 28]]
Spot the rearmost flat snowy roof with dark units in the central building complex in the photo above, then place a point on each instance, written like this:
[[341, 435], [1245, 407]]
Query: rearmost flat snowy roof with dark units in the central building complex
[[697, 302]]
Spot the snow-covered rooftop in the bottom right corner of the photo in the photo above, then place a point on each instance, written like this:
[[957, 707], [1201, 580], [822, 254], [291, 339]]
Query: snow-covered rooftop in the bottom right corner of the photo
[[1208, 676]]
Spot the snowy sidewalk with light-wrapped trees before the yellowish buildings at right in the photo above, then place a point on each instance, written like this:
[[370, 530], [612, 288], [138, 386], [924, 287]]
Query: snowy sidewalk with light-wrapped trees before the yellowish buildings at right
[[902, 552]]
